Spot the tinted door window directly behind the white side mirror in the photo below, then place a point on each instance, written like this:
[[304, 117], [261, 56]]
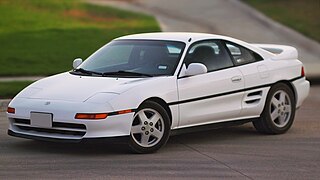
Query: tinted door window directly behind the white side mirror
[[210, 53]]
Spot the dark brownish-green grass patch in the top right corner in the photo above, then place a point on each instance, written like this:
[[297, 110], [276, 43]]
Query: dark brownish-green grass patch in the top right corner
[[303, 16]]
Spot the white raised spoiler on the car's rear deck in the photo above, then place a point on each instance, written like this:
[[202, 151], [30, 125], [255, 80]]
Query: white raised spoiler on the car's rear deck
[[280, 51]]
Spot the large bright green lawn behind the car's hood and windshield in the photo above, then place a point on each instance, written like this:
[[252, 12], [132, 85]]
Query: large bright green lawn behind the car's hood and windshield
[[44, 37]]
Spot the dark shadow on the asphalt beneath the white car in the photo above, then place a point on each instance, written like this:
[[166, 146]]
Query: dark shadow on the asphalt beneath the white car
[[111, 148]]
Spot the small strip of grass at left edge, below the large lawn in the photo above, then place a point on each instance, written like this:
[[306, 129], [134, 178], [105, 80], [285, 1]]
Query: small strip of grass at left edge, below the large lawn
[[10, 89]]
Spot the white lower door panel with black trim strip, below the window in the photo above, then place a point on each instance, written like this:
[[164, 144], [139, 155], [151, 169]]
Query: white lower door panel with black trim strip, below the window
[[211, 109]]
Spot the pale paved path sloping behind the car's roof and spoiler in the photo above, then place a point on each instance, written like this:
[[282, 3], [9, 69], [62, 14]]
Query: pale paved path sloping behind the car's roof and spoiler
[[227, 17]]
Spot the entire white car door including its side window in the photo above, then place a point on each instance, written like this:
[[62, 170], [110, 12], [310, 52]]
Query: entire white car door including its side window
[[214, 96]]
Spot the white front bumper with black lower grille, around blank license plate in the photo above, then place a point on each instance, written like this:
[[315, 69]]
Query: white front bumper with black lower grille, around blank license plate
[[64, 126]]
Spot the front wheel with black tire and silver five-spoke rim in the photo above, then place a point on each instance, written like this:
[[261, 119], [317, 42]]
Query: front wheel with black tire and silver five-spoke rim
[[150, 128]]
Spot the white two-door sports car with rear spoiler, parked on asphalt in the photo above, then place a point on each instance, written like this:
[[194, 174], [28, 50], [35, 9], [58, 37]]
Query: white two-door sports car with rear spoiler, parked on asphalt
[[147, 86]]
